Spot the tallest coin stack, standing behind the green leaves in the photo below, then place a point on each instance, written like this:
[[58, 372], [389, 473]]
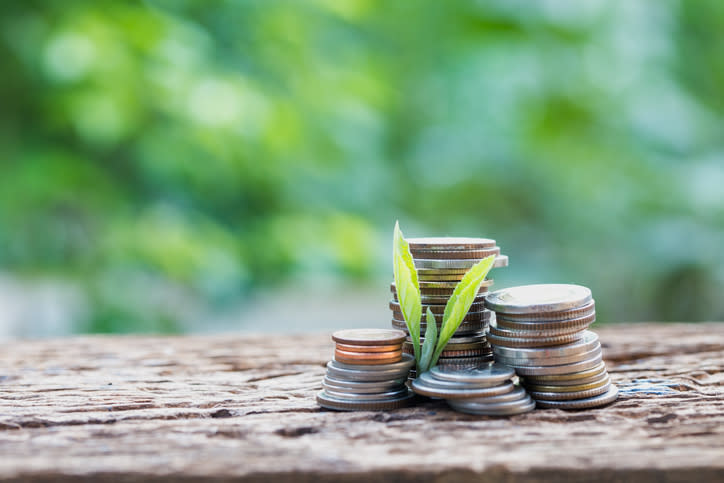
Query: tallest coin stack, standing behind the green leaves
[[441, 263]]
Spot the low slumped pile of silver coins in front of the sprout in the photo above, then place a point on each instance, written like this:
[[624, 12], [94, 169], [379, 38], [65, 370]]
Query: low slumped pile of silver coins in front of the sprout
[[485, 390]]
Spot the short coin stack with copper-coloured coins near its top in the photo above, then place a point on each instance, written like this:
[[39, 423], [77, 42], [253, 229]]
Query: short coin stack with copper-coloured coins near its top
[[368, 372]]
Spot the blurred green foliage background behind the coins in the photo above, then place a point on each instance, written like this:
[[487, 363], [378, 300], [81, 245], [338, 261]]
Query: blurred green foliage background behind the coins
[[208, 165]]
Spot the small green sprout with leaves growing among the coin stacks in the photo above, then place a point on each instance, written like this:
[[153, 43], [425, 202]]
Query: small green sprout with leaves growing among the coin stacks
[[410, 300]]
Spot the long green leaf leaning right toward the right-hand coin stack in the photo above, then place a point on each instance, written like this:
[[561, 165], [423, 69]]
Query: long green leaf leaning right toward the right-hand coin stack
[[460, 302]]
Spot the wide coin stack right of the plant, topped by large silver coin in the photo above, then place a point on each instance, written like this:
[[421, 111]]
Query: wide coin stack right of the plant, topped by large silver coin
[[540, 330]]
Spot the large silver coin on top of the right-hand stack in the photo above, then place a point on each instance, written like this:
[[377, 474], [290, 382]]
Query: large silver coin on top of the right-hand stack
[[528, 299]]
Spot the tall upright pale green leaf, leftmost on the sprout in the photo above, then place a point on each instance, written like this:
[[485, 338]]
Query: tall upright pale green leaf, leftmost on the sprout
[[408, 289]]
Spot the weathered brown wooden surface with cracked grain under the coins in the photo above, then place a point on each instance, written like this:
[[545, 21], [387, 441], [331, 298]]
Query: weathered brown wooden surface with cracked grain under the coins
[[242, 408]]
